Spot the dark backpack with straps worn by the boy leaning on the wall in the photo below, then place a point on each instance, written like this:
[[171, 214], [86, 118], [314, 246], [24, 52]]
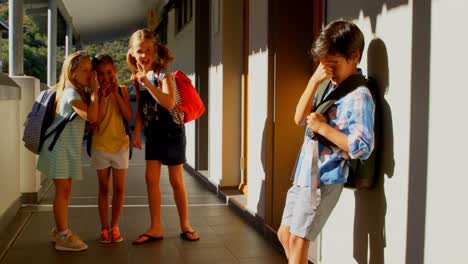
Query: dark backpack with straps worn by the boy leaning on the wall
[[362, 173]]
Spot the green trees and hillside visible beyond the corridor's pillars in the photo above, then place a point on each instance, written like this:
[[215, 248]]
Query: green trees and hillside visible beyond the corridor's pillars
[[35, 51]]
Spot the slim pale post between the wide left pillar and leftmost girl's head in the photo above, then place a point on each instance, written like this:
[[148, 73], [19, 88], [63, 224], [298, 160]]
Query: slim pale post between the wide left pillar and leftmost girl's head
[[52, 42]]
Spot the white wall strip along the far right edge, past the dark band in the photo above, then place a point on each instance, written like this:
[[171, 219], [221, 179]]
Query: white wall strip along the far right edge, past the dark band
[[446, 215]]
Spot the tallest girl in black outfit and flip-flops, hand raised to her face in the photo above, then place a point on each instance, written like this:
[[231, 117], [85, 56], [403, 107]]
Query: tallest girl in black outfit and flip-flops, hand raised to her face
[[164, 132]]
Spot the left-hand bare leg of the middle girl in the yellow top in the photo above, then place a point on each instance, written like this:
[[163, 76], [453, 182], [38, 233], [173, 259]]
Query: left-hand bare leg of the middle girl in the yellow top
[[103, 196]]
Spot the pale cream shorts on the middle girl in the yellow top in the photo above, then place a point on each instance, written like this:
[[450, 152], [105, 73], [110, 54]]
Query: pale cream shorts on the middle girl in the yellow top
[[103, 160]]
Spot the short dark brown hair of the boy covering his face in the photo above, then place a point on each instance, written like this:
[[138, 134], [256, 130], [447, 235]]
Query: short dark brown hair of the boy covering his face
[[340, 37]]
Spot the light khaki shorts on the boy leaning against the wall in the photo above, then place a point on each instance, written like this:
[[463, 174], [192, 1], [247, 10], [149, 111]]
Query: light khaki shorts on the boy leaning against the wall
[[302, 219]]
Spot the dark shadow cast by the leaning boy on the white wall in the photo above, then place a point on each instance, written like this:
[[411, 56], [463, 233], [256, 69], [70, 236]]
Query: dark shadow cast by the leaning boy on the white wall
[[371, 205]]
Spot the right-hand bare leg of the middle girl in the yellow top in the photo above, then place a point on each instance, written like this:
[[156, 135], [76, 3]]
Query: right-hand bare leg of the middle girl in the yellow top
[[118, 192]]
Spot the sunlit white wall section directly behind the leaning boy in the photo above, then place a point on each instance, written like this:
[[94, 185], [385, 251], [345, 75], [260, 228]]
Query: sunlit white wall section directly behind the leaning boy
[[393, 26]]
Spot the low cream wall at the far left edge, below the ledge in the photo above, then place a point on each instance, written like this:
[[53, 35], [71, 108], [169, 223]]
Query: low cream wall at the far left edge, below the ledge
[[9, 156]]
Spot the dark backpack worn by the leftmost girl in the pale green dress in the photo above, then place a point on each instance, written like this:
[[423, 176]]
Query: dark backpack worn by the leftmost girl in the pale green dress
[[39, 120]]
